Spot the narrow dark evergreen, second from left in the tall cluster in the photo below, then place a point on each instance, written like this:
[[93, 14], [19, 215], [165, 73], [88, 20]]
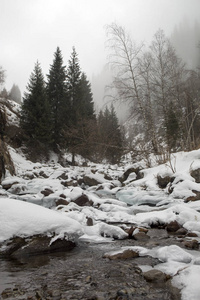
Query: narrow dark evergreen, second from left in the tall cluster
[[56, 91]]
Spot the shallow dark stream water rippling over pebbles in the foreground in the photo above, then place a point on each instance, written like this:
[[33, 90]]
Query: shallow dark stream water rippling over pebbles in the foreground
[[84, 273]]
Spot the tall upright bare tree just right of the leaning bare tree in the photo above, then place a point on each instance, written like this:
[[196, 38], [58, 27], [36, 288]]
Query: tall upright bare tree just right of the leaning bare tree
[[168, 75]]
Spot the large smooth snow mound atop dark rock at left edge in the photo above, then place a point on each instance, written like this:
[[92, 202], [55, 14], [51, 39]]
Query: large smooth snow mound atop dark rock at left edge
[[19, 218]]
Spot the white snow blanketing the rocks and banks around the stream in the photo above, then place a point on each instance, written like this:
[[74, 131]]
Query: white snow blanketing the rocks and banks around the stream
[[25, 210]]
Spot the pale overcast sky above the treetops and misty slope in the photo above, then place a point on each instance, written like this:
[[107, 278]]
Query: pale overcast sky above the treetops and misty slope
[[30, 30]]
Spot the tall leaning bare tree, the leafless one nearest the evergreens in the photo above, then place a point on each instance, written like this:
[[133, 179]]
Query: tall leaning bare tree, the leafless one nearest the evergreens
[[132, 79]]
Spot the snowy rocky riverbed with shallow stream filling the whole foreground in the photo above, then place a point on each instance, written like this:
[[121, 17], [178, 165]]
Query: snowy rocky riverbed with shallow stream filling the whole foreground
[[136, 236]]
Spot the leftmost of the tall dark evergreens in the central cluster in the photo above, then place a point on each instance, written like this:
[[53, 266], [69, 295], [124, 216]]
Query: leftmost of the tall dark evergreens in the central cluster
[[35, 115]]
